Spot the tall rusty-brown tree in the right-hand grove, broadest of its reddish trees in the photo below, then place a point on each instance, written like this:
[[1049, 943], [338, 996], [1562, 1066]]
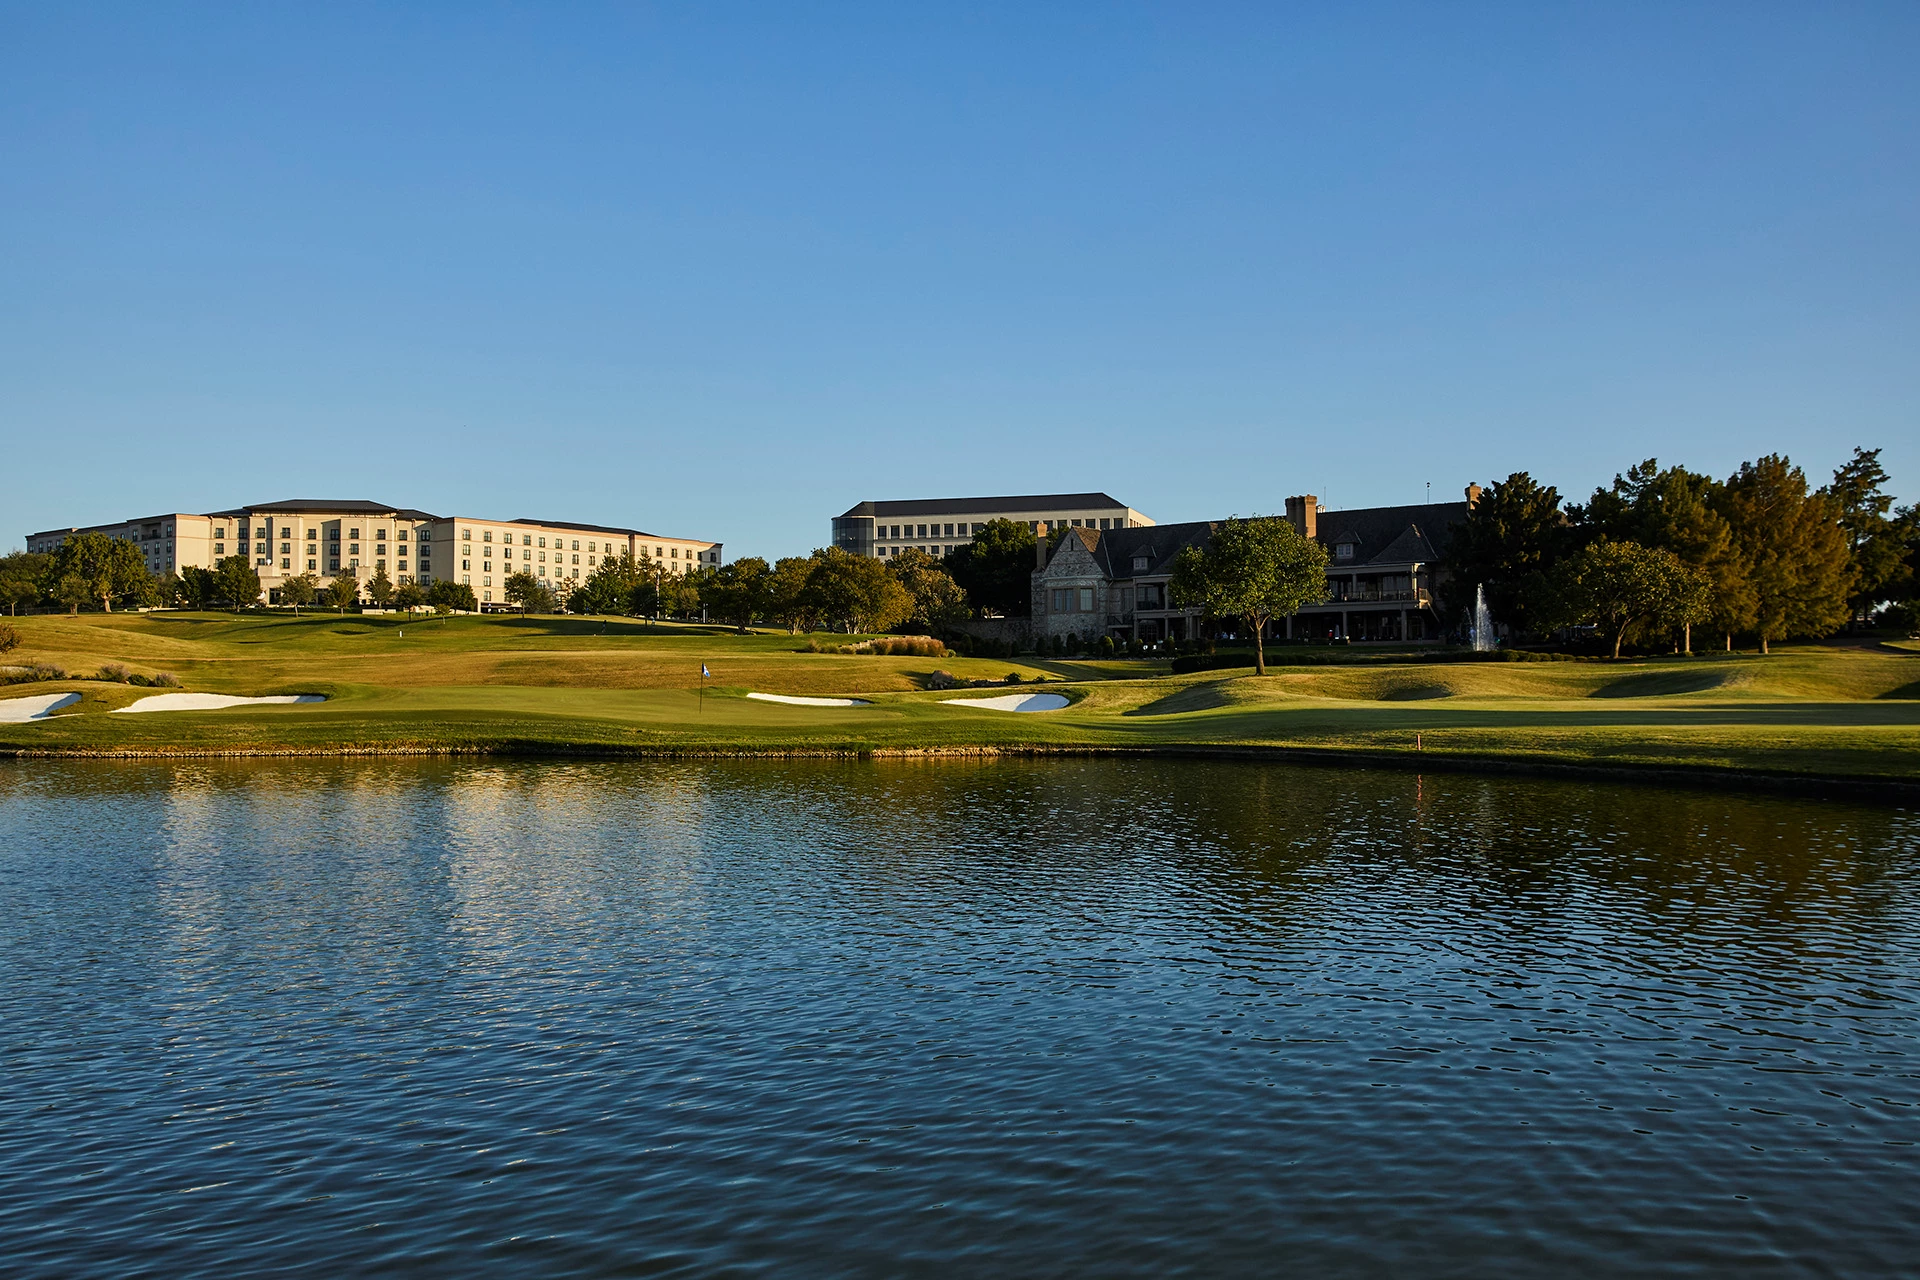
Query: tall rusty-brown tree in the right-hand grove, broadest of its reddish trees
[[1794, 546]]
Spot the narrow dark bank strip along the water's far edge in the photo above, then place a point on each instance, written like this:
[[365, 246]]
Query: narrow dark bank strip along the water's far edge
[[1815, 786]]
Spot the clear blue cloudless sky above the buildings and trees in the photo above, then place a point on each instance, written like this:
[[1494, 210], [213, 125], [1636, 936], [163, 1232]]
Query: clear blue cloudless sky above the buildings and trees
[[727, 270]]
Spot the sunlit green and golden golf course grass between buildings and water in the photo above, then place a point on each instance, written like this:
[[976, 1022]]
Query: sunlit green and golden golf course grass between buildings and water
[[592, 686]]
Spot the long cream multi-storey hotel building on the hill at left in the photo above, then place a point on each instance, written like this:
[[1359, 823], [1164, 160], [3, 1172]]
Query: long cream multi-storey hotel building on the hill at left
[[329, 538]]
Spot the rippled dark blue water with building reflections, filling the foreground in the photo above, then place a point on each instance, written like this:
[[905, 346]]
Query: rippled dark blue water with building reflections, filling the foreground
[[1007, 1016]]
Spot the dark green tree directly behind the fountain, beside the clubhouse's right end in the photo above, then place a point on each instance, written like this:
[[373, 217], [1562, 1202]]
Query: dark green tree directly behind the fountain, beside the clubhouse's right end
[[1512, 538]]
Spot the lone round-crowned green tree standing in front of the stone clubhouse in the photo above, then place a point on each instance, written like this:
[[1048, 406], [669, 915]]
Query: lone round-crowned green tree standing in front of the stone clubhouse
[[1255, 571]]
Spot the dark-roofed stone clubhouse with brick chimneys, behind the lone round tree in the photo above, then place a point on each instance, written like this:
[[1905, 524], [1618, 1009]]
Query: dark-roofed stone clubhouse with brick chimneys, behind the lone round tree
[[1383, 569]]
